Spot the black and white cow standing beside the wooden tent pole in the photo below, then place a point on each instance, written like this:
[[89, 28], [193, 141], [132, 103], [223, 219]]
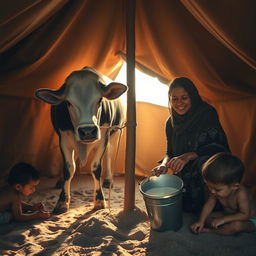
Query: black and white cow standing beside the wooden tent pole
[[85, 112]]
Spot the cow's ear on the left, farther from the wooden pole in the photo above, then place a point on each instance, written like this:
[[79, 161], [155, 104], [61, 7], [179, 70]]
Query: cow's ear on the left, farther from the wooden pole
[[49, 96]]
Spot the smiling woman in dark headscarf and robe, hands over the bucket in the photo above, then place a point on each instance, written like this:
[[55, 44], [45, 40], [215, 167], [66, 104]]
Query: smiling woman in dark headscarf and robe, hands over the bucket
[[194, 134]]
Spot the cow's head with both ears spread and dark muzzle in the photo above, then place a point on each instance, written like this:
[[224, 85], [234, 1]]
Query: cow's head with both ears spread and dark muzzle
[[83, 91]]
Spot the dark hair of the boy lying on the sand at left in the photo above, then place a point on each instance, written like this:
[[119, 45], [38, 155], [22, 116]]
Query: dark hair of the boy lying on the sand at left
[[22, 173]]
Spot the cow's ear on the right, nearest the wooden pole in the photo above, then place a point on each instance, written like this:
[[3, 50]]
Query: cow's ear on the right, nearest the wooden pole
[[113, 90]]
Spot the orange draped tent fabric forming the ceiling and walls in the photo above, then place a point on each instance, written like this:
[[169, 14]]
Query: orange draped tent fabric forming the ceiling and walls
[[41, 42]]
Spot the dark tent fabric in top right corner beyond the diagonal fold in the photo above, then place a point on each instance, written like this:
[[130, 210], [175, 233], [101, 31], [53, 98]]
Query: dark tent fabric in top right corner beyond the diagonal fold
[[228, 32]]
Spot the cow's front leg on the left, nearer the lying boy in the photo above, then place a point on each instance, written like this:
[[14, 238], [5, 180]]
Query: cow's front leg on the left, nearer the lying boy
[[68, 173]]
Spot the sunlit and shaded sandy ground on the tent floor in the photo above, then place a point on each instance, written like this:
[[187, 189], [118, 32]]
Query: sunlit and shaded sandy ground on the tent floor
[[111, 231]]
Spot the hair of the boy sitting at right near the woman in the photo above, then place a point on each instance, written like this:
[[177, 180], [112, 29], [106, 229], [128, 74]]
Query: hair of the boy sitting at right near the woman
[[223, 168]]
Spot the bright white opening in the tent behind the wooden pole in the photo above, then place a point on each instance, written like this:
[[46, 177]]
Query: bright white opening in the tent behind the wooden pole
[[148, 89]]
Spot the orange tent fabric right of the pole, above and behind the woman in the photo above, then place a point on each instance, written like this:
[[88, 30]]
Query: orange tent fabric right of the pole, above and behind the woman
[[213, 44]]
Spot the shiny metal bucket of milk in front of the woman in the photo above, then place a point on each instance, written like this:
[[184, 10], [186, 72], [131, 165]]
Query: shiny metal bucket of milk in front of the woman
[[163, 199]]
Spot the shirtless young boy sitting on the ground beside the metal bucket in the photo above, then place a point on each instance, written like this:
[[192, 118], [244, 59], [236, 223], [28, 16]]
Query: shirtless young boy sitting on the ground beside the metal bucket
[[223, 173]]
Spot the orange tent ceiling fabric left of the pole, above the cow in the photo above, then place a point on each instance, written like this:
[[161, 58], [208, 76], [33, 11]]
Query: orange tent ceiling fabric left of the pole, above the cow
[[63, 43]]
